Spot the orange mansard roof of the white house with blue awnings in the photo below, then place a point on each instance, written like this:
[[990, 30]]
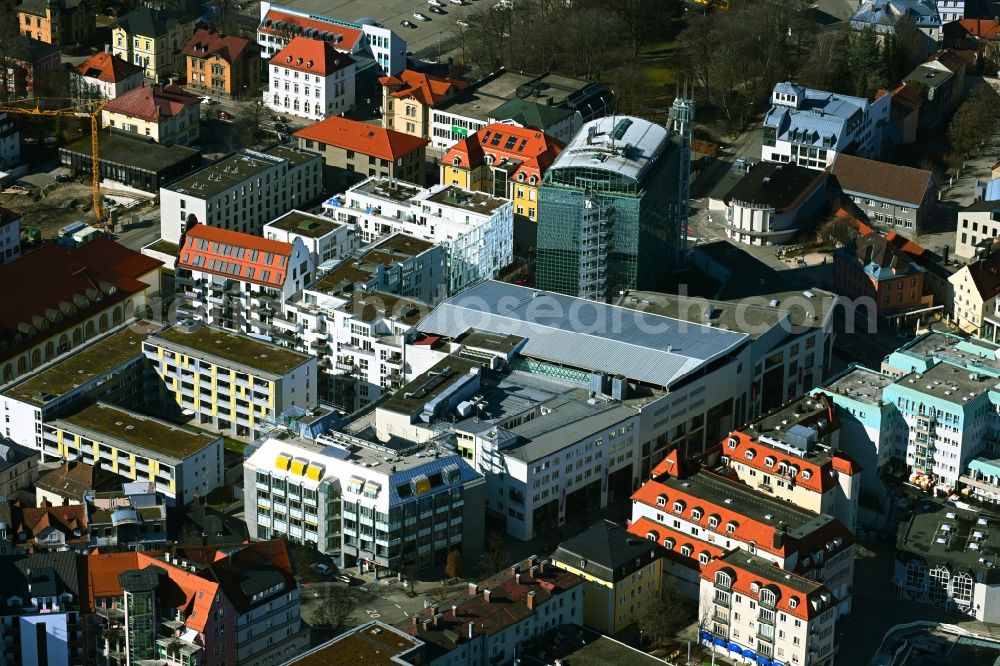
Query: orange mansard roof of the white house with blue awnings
[[742, 578]]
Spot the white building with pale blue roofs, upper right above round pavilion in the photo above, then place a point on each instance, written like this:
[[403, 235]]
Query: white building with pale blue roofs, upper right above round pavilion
[[812, 127]]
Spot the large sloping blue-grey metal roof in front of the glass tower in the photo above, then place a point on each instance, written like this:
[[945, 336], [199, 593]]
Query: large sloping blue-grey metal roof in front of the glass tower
[[584, 334]]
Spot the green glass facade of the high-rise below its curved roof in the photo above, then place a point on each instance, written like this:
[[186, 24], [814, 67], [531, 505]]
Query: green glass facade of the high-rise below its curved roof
[[600, 232]]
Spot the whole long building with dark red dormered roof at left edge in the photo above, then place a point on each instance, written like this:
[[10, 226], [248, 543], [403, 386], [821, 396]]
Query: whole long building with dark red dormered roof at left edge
[[66, 297]]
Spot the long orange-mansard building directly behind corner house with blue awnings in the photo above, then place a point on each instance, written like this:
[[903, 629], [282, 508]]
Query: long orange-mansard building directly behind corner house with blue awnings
[[698, 511]]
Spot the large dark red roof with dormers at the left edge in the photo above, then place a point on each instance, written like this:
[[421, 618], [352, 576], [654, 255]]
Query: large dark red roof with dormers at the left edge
[[60, 287]]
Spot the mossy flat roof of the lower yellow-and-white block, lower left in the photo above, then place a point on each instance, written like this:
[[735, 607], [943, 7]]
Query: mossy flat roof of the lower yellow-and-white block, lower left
[[143, 432]]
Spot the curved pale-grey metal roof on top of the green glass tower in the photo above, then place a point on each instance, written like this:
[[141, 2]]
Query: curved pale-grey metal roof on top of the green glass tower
[[622, 144]]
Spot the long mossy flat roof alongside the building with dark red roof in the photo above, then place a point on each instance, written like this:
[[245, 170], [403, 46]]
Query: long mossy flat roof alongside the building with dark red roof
[[98, 358]]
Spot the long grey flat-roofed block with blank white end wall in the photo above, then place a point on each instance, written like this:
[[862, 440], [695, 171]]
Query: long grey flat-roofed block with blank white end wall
[[241, 192]]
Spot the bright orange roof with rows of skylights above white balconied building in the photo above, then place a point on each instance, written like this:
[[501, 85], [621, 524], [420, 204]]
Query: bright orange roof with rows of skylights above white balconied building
[[222, 250]]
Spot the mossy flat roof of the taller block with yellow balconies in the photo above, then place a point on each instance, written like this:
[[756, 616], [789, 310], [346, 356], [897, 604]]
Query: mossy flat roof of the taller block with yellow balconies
[[230, 348]]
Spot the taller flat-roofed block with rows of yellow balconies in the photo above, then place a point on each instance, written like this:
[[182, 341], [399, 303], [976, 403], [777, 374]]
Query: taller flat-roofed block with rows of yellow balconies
[[227, 382]]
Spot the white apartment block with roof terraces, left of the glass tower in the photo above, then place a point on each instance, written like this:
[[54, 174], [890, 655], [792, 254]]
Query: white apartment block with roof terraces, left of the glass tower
[[476, 229]]
